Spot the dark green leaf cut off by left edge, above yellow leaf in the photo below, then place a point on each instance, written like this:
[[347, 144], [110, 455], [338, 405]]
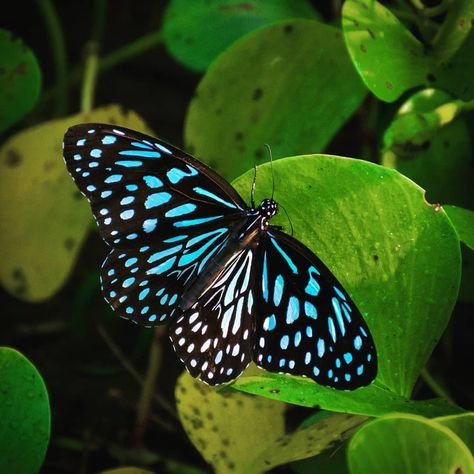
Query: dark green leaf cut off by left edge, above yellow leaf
[[20, 79]]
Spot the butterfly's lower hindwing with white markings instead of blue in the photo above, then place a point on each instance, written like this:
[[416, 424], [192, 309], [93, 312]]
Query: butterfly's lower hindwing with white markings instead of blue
[[214, 337]]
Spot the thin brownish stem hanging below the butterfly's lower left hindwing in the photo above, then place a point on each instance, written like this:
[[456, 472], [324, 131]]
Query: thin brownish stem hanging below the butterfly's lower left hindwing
[[146, 397]]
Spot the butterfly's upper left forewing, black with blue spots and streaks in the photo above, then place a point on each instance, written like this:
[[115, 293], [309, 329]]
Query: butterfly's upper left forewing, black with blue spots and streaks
[[141, 188]]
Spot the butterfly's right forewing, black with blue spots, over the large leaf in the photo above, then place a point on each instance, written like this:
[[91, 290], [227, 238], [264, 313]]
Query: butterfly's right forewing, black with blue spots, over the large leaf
[[306, 323]]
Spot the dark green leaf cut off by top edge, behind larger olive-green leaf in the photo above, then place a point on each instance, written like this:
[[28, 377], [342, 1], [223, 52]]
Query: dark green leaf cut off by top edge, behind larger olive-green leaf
[[195, 33]]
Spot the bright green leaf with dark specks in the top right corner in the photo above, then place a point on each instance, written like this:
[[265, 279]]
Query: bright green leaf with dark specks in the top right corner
[[391, 60]]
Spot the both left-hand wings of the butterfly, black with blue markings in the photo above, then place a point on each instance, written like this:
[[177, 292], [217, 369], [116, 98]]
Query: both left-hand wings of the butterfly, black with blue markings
[[163, 213]]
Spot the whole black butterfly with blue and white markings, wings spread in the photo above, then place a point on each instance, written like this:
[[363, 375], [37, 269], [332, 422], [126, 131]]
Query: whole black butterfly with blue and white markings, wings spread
[[188, 251]]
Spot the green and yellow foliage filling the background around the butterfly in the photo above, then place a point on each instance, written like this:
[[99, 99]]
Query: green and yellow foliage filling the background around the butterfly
[[390, 85]]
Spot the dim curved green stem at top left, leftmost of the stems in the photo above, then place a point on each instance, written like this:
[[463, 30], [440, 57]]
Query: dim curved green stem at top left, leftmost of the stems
[[58, 49]]
